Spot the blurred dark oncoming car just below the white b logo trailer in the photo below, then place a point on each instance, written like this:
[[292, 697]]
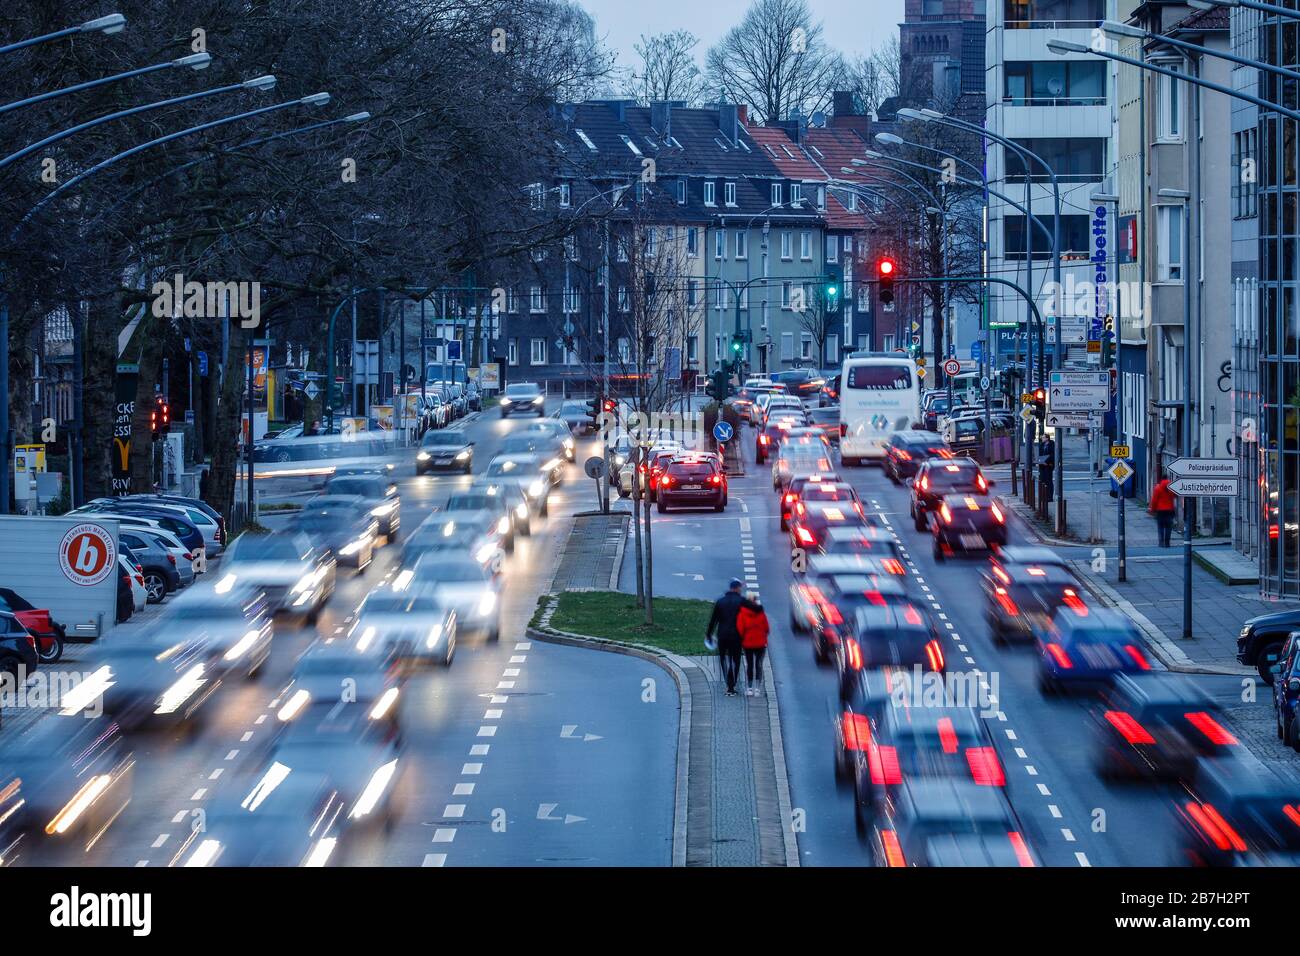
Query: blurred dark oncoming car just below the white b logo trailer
[[155, 680]]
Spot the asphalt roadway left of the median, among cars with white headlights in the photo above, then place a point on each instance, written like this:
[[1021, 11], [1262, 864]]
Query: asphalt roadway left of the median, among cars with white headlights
[[522, 754]]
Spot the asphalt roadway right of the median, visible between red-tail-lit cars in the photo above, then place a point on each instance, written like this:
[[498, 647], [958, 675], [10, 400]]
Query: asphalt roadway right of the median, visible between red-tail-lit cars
[[1071, 816]]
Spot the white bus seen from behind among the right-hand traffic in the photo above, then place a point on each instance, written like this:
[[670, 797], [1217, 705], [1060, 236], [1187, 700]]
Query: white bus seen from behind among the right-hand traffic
[[879, 395]]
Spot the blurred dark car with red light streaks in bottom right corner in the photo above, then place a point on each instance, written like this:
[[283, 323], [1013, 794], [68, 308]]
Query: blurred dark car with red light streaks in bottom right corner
[[1240, 816]]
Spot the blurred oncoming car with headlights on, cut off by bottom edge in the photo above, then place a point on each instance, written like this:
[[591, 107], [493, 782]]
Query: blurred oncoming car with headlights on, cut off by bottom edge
[[291, 817]]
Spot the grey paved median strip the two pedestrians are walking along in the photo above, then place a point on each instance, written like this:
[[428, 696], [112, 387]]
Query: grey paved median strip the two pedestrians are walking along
[[733, 801]]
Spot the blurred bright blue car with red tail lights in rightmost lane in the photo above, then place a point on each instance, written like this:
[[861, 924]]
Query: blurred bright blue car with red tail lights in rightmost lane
[[1086, 647]]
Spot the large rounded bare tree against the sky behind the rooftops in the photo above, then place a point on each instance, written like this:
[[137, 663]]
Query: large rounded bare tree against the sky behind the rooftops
[[777, 60]]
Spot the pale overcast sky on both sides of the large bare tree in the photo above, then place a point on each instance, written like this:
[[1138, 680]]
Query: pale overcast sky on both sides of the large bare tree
[[852, 27]]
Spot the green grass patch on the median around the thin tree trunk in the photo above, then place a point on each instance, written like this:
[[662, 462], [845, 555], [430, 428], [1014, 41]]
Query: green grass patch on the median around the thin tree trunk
[[679, 626]]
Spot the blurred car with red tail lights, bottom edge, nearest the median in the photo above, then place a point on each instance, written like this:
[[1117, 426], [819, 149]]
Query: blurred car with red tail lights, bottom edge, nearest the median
[[950, 823]]
